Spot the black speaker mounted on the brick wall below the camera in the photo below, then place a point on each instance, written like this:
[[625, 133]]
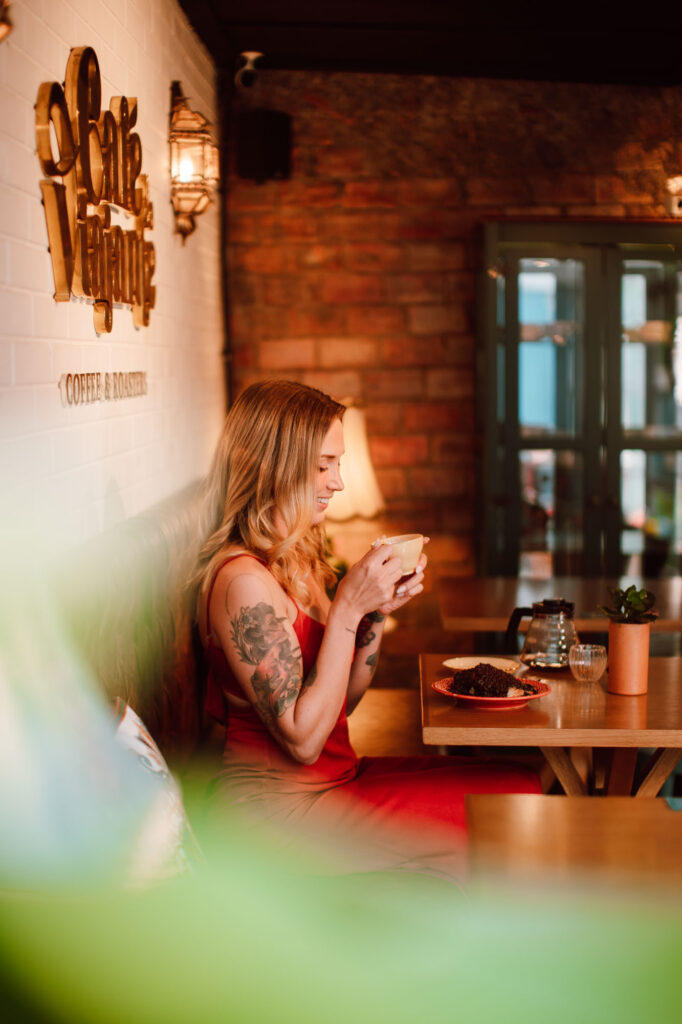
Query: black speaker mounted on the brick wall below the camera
[[264, 145]]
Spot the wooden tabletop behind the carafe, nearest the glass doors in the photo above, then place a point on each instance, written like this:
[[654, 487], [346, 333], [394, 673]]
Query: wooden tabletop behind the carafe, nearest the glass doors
[[485, 604]]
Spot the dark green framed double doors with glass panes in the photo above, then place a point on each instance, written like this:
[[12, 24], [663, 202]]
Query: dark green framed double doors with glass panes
[[581, 388]]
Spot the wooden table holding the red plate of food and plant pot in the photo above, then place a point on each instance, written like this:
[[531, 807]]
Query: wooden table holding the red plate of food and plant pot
[[573, 717]]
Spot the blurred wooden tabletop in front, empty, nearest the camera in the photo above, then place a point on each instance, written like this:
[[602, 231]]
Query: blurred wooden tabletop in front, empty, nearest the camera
[[617, 841]]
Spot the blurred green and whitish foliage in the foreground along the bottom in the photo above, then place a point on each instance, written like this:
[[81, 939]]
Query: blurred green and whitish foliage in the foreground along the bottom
[[247, 936]]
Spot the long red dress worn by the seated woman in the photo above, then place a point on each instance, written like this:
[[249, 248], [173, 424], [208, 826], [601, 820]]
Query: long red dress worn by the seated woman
[[356, 814]]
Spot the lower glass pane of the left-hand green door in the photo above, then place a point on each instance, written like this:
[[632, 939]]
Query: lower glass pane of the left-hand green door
[[551, 487]]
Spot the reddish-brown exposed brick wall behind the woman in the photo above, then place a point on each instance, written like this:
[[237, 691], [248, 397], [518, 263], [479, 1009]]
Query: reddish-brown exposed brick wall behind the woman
[[358, 275]]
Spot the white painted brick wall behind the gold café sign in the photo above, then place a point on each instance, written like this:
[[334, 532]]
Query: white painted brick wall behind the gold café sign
[[70, 473]]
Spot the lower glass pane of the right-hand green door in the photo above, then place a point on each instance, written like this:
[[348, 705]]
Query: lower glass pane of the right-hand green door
[[652, 503]]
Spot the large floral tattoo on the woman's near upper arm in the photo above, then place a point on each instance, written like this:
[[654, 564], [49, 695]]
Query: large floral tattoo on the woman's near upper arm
[[261, 641]]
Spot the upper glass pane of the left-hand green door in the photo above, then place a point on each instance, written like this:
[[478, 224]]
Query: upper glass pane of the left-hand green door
[[551, 325]]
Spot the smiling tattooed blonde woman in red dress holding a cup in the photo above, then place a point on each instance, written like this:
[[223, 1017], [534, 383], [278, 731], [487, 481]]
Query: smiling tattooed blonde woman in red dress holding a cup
[[287, 664]]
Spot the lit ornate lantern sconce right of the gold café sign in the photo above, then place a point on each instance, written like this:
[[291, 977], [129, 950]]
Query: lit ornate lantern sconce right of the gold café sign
[[194, 162]]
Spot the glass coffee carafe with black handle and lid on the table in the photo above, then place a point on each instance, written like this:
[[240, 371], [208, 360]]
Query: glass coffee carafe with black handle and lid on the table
[[550, 635]]
